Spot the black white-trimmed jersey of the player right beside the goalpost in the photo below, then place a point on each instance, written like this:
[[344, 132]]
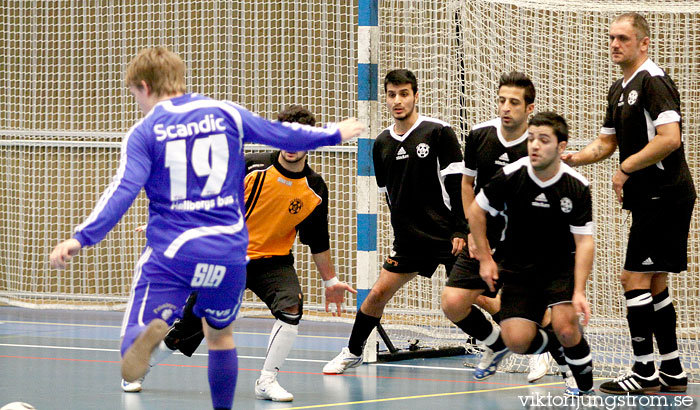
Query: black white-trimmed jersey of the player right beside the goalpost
[[420, 172]]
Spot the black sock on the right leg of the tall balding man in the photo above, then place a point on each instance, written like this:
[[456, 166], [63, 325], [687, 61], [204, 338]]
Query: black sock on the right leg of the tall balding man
[[664, 327]]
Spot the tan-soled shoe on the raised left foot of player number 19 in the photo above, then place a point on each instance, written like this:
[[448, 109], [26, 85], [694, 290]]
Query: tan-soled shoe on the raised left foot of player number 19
[[135, 362]]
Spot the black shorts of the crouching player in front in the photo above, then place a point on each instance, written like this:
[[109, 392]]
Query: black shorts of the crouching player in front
[[527, 295]]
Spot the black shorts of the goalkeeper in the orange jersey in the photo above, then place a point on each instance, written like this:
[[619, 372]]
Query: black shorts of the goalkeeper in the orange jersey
[[274, 280]]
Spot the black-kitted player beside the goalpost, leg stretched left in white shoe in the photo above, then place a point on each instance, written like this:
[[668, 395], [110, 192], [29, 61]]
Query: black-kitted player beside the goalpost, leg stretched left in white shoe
[[418, 165]]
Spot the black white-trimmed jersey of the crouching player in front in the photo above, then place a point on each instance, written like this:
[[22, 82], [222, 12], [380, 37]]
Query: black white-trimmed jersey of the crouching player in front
[[541, 216]]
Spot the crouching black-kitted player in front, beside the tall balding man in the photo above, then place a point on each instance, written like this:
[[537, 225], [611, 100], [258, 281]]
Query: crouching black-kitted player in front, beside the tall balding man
[[547, 247]]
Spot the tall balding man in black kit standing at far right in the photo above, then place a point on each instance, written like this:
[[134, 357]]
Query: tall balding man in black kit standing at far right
[[644, 119]]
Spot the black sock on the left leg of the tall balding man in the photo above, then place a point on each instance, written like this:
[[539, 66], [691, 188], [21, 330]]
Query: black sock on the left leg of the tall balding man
[[639, 312]]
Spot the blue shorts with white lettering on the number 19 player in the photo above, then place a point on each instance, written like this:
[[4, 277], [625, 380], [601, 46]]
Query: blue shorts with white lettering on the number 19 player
[[161, 287]]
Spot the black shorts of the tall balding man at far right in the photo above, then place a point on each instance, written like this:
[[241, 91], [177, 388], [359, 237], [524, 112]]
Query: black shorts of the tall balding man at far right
[[658, 239]]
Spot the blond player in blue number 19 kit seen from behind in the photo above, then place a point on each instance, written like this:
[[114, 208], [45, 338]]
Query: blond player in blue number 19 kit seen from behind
[[187, 153]]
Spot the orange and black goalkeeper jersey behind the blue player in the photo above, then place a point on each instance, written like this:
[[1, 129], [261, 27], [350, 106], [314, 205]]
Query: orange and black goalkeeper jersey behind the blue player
[[279, 203]]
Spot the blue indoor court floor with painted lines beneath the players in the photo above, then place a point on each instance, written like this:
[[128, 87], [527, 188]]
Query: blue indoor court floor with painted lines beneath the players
[[69, 360]]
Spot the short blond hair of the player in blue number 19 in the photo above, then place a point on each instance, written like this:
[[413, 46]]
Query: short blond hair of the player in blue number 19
[[161, 69]]
